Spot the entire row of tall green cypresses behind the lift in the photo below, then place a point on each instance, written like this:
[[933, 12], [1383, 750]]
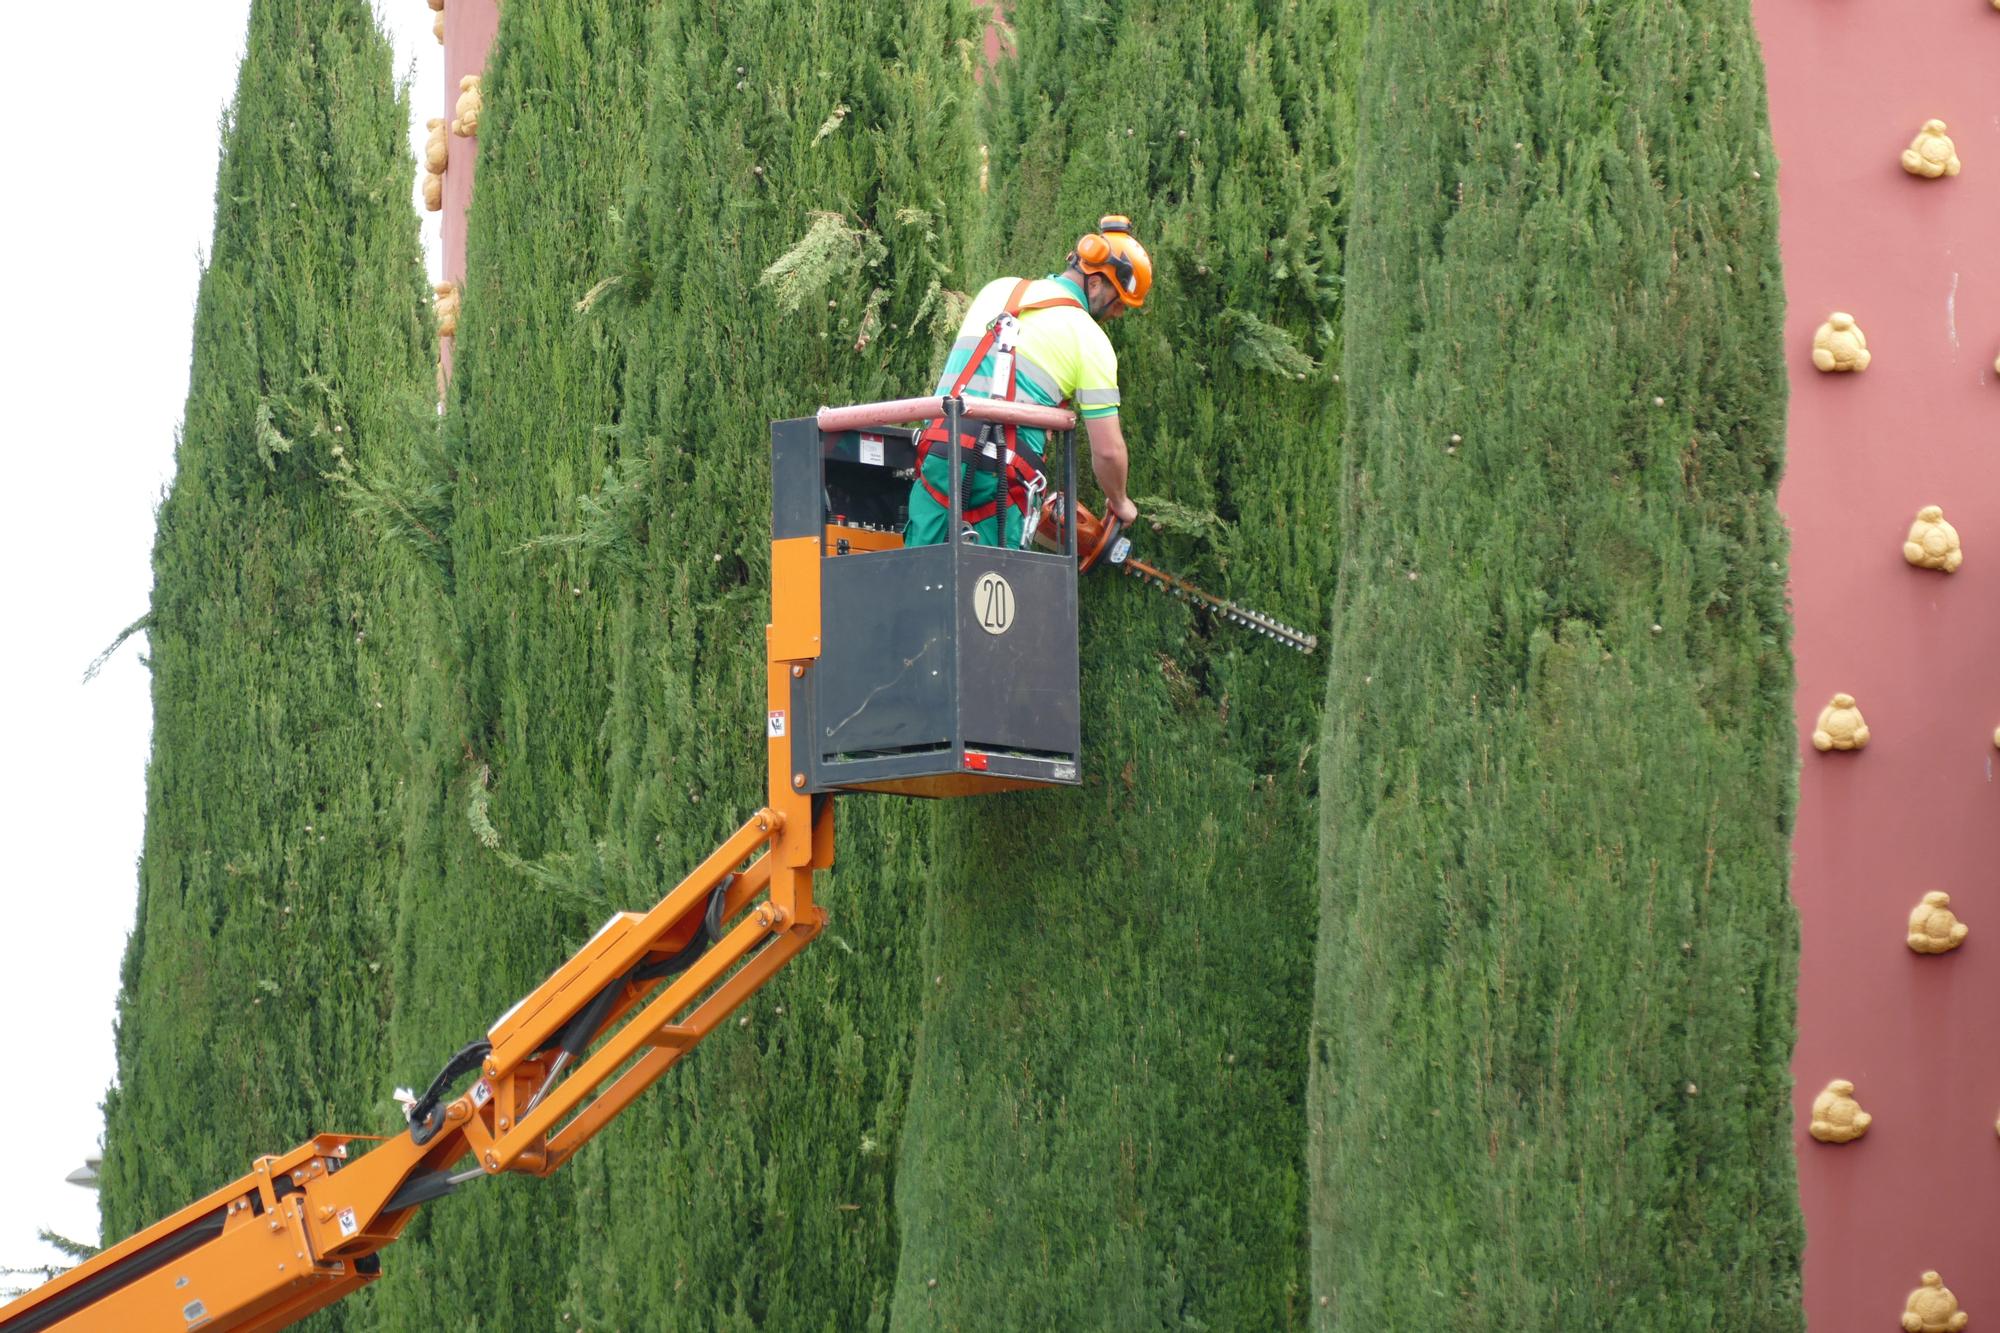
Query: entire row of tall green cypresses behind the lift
[[435, 698]]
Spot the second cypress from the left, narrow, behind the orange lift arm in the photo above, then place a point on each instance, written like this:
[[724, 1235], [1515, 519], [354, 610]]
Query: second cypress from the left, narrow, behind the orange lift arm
[[509, 778]]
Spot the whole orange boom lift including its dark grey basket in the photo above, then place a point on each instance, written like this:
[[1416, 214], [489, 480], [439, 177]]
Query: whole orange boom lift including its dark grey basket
[[303, 1230]]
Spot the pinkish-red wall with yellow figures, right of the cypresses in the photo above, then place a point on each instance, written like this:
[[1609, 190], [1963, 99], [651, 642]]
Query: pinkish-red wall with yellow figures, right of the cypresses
[[1919, 267]]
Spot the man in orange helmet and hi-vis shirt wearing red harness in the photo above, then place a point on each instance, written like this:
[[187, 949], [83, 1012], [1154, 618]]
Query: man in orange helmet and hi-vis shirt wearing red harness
[[1035, 343]]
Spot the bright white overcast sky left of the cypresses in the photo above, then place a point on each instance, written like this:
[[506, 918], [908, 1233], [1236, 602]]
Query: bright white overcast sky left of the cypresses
[[111, 135]]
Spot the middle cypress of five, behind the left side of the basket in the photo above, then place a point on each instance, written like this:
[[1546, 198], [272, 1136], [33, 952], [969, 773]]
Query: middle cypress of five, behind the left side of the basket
[[799, 239]]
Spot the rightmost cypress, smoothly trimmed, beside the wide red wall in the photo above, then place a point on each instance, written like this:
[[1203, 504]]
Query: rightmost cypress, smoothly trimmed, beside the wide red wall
[[1557, 956]]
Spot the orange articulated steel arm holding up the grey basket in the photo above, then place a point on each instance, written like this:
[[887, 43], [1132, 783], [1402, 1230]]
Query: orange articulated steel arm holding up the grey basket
[[301, 1230]]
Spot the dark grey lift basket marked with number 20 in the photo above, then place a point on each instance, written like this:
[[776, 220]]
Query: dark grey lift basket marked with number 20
[[941, 672]]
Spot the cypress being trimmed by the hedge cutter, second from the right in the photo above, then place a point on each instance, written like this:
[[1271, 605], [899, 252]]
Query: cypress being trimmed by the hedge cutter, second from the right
[[1103, 1124]]
